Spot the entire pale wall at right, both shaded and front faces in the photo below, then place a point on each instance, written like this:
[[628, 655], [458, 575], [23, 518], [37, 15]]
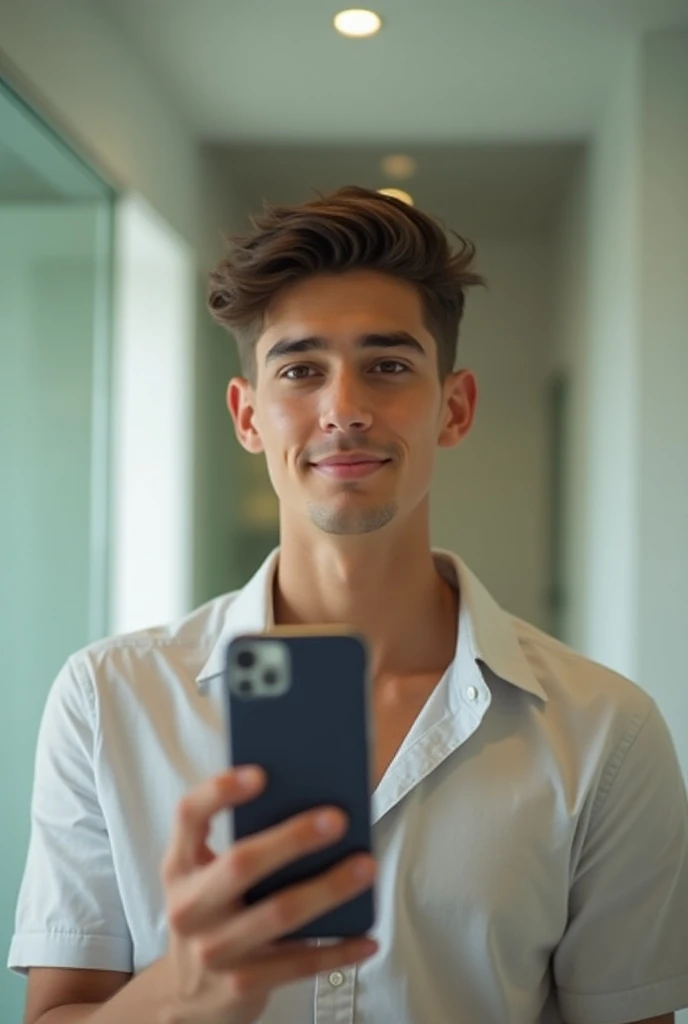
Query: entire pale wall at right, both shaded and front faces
[[623, 312]]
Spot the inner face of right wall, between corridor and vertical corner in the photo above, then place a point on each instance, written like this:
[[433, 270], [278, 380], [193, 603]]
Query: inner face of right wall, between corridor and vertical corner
[[598, 307]]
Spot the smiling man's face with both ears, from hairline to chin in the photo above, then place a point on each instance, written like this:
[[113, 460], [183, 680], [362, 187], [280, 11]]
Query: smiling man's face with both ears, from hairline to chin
[[348, 404]]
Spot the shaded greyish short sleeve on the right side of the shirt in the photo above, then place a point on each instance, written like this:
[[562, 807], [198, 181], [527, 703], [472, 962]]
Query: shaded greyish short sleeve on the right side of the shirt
[[625, 954]]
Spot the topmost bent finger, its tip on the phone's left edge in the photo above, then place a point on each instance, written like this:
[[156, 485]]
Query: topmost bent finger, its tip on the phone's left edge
[[196, 810]]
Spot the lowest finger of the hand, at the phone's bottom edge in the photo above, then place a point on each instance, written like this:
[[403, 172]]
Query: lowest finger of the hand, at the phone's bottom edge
[[296, 961]]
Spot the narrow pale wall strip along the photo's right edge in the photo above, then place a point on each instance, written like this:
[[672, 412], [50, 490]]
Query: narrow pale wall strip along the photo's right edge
[[663, 375]]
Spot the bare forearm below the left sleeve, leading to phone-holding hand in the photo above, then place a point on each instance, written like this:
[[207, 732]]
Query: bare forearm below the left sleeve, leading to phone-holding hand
[[145, 1000]]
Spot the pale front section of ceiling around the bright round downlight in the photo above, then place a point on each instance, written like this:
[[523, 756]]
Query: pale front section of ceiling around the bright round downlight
[[440, 71]]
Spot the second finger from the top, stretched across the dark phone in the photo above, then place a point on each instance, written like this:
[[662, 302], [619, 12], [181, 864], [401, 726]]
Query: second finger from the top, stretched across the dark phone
[[202, 903]]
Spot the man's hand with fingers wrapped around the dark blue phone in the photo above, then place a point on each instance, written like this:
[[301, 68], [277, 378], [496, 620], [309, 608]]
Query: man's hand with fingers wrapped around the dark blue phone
[[224, 958]]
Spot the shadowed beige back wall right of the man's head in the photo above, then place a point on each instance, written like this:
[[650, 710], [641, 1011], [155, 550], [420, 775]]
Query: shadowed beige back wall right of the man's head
[[491, 496]]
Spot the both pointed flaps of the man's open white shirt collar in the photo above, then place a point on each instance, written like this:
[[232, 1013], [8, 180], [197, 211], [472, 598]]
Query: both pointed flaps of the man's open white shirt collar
[[492, 636]]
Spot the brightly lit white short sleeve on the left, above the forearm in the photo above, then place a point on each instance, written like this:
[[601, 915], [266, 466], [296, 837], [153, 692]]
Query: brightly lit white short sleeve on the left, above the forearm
[[69, 913]]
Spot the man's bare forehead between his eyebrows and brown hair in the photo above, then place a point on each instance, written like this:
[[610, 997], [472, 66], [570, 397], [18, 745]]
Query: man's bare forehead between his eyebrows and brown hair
[[346, 305]]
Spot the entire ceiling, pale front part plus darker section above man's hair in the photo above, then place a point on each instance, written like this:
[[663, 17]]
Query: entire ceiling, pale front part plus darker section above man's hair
[[495, 99]]
